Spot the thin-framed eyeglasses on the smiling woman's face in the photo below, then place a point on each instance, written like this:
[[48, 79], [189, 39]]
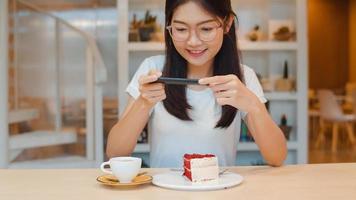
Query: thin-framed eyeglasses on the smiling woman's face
[[205, 32]]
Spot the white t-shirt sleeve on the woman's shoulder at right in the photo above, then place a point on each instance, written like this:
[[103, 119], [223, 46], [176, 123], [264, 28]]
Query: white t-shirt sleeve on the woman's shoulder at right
[[253, 84]]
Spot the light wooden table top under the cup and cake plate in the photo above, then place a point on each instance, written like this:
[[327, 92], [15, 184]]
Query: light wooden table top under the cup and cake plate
[[325, 181]]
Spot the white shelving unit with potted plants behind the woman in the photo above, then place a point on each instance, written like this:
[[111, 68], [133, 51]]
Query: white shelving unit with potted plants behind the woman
[[265, 57]]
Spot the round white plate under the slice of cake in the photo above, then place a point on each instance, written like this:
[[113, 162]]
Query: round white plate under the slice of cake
[[175, 180]]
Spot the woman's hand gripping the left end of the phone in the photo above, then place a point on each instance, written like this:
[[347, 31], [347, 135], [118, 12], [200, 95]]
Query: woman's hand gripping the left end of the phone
[[151, 93]]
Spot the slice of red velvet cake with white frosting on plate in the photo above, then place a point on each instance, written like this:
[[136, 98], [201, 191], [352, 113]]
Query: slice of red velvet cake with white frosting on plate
[[201, 167]]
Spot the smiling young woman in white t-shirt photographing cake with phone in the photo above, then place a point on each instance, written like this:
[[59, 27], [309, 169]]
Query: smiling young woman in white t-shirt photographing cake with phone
[[200, 44]]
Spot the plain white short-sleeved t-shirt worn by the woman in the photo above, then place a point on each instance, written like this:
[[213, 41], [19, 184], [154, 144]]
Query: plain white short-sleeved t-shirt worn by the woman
[[170, 138]]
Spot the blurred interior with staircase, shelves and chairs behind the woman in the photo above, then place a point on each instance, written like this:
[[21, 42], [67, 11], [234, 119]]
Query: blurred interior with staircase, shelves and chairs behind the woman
[[65, 65]]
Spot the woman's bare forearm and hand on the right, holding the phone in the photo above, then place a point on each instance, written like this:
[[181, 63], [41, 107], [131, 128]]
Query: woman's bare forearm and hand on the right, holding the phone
[[229, 90]]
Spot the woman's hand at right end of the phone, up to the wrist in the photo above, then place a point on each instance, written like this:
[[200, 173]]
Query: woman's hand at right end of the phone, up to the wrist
[[229, 90]]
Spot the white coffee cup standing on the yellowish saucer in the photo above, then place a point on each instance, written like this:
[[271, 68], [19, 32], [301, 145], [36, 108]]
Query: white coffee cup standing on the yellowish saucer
[[125, 169]]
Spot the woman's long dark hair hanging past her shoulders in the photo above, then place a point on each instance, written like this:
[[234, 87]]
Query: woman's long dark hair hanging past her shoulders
[[227, 61]]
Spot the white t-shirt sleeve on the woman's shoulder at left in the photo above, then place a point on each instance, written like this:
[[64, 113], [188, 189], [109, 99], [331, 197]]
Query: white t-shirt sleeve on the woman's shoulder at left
[[154, 62]]
